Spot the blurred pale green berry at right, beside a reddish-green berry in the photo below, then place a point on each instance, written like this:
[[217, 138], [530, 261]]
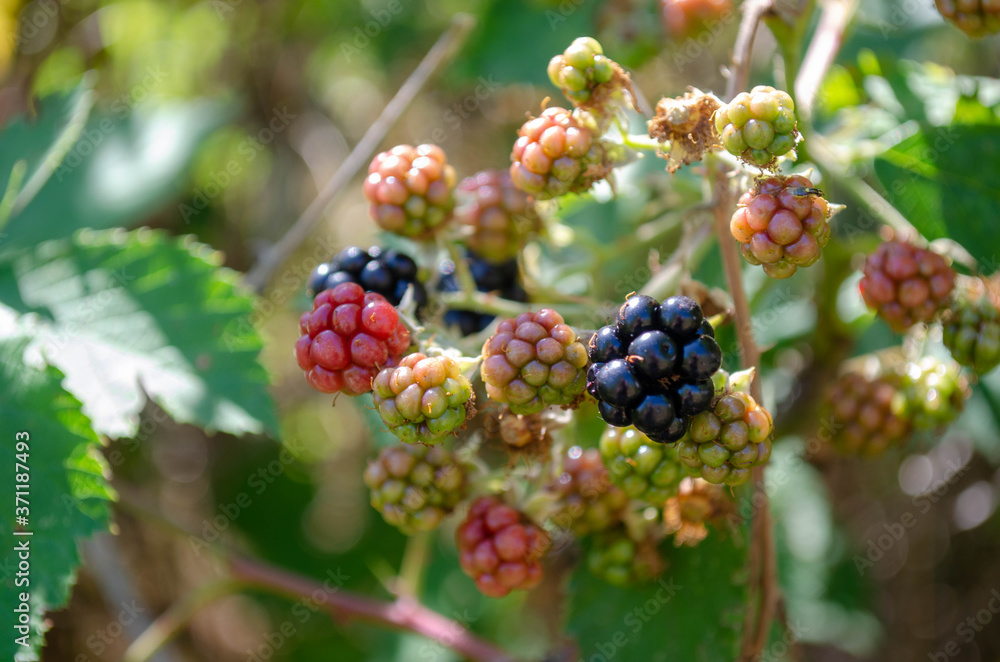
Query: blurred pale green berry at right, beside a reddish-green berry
[[935, 392]]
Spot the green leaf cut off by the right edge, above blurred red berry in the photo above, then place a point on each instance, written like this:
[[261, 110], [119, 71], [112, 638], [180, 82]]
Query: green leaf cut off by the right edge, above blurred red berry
[[945, 182]]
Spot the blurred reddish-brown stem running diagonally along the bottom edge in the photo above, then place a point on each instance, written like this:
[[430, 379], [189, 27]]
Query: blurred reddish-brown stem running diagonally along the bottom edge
[[402, 614]]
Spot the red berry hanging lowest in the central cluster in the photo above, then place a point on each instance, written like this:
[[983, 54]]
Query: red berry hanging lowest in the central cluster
[[500, 548]]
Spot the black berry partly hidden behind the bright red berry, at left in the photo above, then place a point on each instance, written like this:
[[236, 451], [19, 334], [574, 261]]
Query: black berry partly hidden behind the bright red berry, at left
[[387, 272]]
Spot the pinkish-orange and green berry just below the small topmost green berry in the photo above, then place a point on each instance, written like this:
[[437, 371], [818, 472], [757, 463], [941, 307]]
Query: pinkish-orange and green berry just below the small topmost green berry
[[557, 153]]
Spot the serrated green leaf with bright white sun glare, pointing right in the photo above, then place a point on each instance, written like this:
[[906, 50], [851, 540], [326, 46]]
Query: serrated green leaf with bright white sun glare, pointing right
[[138, 314]]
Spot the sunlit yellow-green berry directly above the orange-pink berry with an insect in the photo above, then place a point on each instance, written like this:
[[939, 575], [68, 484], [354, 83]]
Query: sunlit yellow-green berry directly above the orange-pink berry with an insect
[[758, 126]]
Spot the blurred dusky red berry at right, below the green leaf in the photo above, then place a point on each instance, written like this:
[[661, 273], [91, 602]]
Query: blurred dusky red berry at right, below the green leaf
[[906, 284]]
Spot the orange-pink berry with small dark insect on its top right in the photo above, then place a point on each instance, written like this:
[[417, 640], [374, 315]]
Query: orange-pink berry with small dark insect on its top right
[[782, 224]]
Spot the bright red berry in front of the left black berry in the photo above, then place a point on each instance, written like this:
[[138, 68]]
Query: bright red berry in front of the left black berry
[[347, 338]]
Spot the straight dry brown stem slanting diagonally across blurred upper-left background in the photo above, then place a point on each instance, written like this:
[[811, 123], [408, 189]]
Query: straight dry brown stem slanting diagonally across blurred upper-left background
[[440, 54]]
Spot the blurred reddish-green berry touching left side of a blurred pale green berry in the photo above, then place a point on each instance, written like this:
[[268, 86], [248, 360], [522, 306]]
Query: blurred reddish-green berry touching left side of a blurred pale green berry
[[867, 416]]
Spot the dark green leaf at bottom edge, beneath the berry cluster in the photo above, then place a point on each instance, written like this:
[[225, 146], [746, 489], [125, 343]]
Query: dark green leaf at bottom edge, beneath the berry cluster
[[692, 613]]
